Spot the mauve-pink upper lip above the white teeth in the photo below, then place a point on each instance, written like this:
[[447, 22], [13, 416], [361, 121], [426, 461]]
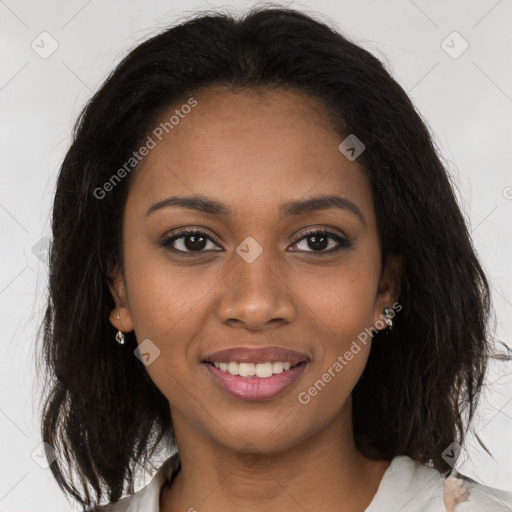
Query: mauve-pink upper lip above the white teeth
[[256, 355]]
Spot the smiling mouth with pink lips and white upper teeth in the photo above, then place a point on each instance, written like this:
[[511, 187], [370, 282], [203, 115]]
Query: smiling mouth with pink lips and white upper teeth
[[256, 374]]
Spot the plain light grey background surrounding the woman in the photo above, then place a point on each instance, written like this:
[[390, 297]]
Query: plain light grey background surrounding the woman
[[467, 102]]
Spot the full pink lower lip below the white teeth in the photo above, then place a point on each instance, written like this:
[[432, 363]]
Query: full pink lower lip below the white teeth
[[255, 388]]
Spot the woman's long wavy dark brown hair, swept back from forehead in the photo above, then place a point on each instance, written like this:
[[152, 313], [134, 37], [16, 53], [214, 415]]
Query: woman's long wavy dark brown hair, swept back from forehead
[[419, 390]]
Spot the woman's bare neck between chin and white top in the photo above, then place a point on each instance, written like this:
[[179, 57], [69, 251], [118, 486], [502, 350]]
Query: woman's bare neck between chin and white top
[[324, 472]]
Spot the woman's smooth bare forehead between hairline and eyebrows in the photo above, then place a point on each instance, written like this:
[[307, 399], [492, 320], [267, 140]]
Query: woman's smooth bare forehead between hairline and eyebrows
[[250, 148]]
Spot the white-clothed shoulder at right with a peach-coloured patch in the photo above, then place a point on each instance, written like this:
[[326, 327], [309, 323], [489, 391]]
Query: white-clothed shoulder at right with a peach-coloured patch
[[410, 486]]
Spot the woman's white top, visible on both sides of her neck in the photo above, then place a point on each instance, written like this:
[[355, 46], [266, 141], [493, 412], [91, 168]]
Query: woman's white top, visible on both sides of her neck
[[406, 486]]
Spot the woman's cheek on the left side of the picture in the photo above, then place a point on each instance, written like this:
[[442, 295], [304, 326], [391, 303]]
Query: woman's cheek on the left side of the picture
[[166, 307]]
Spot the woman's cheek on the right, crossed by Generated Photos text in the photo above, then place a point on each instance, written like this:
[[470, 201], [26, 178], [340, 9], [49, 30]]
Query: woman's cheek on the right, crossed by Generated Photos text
[[341, 302]]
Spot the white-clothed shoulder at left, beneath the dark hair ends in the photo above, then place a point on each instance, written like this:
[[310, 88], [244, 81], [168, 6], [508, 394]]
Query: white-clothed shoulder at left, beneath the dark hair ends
[[146, 499]]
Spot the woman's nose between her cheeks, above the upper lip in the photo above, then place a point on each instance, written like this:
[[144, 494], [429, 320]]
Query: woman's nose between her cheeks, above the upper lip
[[256, 295]]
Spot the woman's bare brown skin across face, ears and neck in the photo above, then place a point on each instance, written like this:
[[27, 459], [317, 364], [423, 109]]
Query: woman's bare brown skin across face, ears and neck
[[254, 151]]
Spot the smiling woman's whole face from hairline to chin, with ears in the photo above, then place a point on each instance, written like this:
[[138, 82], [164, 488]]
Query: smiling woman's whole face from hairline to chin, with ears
[[264, 266]]
